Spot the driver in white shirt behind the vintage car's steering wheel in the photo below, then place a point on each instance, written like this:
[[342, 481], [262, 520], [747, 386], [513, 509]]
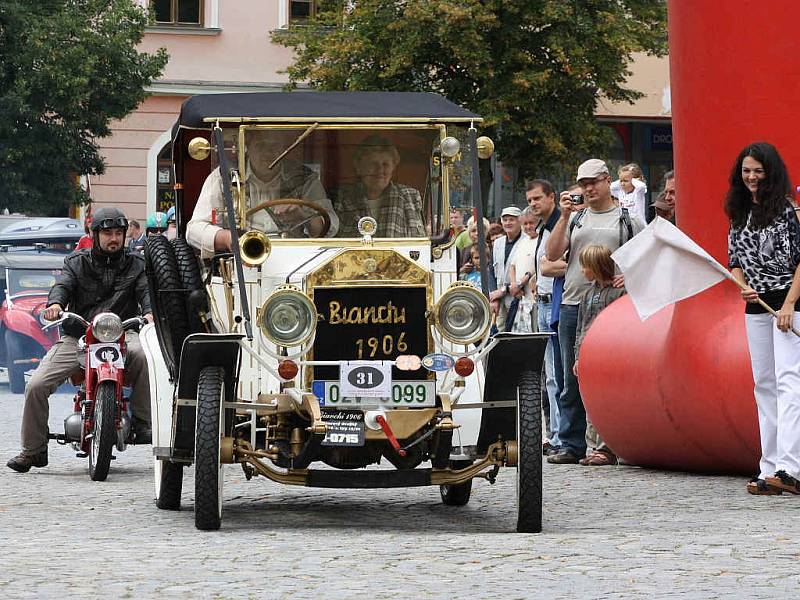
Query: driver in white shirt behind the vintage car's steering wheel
[[288, 179]]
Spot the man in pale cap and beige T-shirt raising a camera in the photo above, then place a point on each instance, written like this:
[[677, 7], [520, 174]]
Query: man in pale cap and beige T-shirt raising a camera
[[586, 219]]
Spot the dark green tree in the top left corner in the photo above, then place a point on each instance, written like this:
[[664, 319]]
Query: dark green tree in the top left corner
[[67, 68]]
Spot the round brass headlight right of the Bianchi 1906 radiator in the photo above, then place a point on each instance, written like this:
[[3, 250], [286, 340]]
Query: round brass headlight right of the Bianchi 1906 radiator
[[462, 314]]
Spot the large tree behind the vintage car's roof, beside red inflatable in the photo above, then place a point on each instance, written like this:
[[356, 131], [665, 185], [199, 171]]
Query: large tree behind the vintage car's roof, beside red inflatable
[[534, 69]]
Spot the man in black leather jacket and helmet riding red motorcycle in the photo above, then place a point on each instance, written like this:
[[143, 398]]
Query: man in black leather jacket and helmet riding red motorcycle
[[105, 278]]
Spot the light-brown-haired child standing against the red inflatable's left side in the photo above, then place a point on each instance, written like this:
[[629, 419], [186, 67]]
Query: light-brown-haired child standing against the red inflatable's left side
[[597, 267]]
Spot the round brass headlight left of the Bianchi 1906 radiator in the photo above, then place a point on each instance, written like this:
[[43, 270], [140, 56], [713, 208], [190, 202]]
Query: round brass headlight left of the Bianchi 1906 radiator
[[288, 317]]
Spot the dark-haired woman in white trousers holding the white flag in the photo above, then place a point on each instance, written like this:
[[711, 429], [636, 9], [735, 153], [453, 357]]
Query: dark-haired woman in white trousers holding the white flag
[[764, 256]]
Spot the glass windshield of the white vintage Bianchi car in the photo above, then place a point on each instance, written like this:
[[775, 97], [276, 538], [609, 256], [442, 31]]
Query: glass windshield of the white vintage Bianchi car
[[296, 179]]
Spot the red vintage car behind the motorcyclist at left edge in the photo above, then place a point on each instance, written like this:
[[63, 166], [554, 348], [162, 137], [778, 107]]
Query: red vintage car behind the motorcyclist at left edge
[[27, 277]]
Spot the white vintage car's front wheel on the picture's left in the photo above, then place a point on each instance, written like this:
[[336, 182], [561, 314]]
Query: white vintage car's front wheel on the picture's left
[[210, 427]]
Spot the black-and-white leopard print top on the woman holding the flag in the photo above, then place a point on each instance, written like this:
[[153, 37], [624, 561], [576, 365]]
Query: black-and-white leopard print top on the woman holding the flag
[[768, 257]]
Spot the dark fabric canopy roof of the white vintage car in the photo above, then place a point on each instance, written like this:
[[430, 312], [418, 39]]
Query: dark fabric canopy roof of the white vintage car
[[198, 111]]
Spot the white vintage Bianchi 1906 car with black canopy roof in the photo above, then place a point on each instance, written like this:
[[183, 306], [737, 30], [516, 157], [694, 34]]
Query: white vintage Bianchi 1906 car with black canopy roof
[[336, 330]]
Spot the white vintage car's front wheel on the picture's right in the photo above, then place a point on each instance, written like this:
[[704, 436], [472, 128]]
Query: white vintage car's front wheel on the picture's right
[[529, 448]]
